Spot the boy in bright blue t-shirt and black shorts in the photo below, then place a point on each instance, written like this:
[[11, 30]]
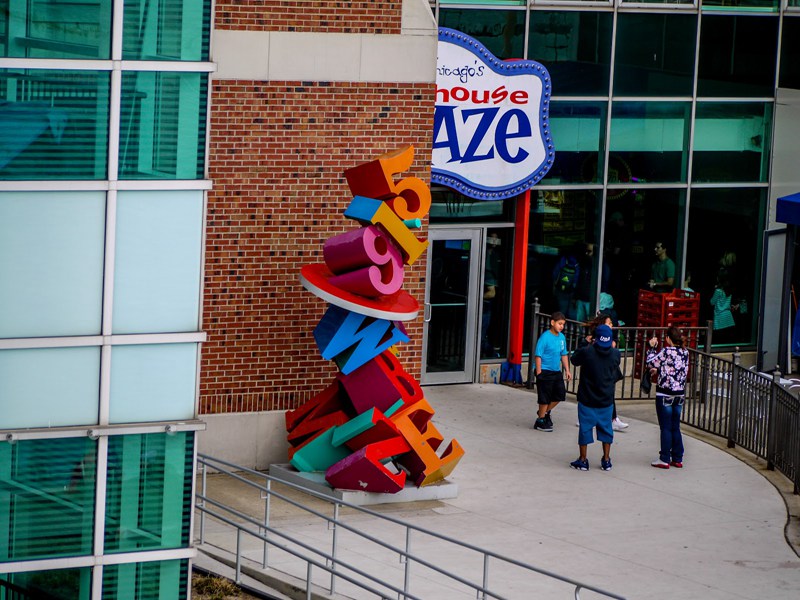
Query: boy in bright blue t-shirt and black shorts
[[551, 357]]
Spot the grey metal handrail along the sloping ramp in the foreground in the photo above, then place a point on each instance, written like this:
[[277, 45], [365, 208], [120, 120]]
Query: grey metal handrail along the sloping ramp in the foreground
[[386, 581]]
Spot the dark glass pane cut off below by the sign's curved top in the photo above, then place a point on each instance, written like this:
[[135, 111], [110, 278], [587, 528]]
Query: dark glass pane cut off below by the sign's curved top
[[501, 31]]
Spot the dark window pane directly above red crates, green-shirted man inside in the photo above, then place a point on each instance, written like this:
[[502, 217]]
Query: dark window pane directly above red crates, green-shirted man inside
[[637, 221]]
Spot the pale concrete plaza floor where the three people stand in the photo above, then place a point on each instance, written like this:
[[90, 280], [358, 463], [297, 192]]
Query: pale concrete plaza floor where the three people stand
[[712, 530]]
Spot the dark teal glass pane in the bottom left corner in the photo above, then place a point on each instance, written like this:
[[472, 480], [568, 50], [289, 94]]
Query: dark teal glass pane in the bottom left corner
[[73, 584]]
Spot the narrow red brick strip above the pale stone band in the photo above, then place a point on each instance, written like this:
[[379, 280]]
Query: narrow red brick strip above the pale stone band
[[318, 16]]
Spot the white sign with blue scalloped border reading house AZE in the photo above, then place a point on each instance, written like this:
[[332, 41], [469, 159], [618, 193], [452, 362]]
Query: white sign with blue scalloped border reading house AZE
[[491, 135]]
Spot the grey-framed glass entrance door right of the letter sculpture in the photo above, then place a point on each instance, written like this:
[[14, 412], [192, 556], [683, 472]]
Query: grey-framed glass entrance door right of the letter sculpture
[[451, 306]]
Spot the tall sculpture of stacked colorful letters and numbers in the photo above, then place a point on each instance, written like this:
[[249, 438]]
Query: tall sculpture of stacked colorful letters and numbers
[[371, 428]]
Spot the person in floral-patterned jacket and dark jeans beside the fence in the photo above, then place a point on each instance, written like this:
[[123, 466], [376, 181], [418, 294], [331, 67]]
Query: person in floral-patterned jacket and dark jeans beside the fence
[[672, 364]]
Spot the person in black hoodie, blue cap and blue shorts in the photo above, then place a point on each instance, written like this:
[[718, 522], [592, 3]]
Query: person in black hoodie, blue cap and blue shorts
[[599, 362]]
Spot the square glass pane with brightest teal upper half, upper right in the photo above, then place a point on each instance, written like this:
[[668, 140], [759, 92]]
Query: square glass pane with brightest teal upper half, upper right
[[732, 142]]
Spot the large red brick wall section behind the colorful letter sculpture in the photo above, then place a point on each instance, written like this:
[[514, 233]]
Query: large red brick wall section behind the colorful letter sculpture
[[277, 154]]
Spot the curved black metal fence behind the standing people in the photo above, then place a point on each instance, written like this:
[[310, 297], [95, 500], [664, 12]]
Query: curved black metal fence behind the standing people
[[756, 411]]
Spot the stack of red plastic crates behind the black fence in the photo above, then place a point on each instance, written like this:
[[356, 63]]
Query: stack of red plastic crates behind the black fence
[[678, 308]]
